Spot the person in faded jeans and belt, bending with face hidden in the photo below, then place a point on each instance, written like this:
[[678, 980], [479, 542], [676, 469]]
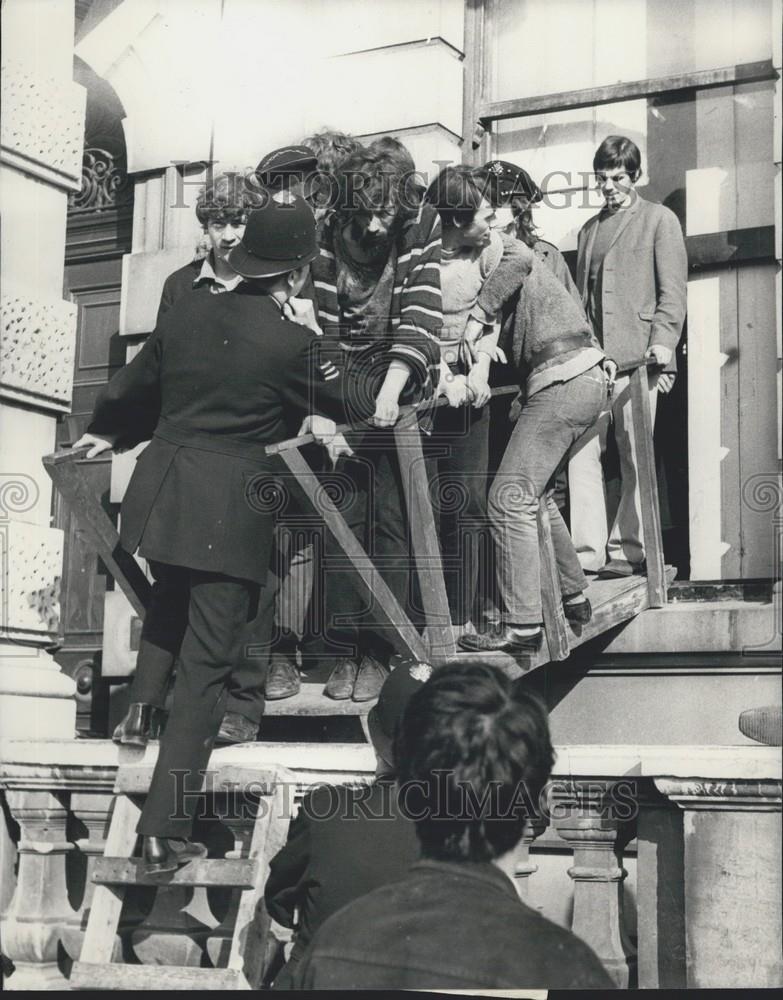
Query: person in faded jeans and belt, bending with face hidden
[[566, 379]]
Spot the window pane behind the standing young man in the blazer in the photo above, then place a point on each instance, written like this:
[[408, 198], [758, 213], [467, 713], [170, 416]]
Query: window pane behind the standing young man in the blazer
[[707, 154]]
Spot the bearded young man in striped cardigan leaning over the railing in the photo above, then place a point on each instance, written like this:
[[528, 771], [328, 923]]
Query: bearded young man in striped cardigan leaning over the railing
[[377, 283]]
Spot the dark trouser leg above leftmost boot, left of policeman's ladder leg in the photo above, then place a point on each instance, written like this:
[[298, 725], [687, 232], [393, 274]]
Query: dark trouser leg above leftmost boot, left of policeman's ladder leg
[[161, 634]]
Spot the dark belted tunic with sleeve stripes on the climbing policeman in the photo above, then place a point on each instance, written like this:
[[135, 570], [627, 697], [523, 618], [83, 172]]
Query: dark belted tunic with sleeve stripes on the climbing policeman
[[221, 377]]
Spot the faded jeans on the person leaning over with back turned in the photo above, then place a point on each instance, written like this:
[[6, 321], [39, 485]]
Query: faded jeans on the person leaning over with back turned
[[552, 420]]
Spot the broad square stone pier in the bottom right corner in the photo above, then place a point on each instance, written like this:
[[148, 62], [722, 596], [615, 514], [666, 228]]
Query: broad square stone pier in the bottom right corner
[[732, 866]]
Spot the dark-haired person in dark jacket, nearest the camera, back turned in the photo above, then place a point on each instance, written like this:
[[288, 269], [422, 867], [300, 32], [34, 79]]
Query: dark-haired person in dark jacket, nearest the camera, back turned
[[473, 754]]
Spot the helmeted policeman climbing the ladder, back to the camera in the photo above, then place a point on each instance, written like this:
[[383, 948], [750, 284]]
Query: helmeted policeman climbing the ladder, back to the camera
[[220, 378]]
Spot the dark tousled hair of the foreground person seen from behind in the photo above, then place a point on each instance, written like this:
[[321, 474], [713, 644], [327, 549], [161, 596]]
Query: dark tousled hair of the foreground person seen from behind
[[473, 754]]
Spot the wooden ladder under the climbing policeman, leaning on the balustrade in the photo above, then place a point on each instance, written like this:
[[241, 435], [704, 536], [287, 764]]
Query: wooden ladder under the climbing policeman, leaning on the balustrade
[[117, 870]]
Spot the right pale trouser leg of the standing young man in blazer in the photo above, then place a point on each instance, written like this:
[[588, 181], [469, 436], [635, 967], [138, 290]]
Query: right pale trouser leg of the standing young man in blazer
[[626, 538]]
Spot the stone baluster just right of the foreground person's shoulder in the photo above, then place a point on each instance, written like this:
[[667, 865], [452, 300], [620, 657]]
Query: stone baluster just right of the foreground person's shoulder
[[586, 817]]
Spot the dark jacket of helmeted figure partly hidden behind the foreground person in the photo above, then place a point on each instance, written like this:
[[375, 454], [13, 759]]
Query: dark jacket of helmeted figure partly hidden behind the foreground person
[[344, 843]]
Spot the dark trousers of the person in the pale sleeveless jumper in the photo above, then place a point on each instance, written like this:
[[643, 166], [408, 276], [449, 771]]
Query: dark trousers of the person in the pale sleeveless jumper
[[459, 450]]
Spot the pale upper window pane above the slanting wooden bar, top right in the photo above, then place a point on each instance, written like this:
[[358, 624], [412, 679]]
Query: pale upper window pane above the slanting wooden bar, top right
[[548, 46]]
